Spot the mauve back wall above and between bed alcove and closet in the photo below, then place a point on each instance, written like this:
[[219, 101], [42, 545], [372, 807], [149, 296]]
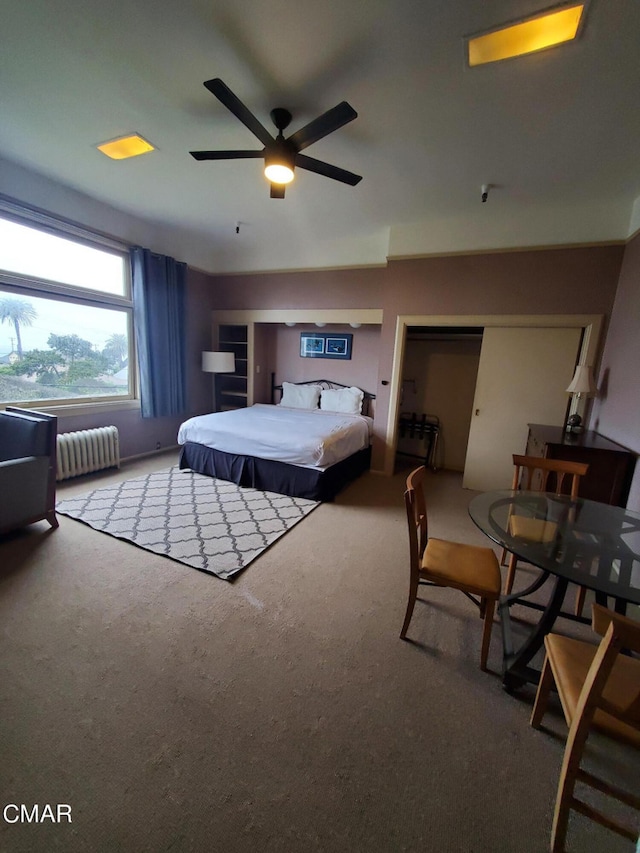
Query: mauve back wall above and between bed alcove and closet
[[553, 281]]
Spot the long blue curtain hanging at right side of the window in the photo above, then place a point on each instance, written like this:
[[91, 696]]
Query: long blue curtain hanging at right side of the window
[[158, 318]]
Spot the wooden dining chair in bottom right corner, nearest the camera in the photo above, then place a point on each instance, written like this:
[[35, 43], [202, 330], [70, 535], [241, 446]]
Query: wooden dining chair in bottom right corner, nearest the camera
[[599, 688]]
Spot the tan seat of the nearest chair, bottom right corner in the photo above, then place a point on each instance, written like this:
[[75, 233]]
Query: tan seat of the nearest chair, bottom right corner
[[570, 661]]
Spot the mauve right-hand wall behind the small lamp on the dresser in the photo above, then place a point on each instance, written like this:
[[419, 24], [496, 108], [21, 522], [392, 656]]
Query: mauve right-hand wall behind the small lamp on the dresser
[[616, 409]]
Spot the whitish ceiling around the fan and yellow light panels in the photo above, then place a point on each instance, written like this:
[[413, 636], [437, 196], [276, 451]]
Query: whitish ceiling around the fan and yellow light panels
[[556, 134]]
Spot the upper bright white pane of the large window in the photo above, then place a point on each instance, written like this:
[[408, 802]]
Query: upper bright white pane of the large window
[[38, 254]]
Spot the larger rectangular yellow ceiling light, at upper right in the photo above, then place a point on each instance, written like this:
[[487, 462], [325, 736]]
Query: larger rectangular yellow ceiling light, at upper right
[[549, 28]]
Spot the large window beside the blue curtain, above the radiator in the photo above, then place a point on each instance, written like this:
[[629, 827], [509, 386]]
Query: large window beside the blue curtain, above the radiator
[[65, 313]]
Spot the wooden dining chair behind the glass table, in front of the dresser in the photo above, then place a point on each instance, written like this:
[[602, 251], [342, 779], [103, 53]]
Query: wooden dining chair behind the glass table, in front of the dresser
[[537, 474]]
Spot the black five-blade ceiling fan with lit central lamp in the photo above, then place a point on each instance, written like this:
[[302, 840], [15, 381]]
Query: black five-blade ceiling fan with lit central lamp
[[282, 156]]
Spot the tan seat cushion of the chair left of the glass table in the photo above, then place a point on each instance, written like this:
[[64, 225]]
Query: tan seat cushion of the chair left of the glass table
[[469, 566]]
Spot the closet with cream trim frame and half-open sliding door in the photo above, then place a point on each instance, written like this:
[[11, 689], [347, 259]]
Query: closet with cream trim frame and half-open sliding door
[[525, 365]]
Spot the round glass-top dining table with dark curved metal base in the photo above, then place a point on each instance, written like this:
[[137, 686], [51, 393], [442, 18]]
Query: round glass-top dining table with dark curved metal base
[[572, 540]]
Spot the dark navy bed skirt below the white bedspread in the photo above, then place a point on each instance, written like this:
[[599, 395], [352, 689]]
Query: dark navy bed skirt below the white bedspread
[[270, 476]]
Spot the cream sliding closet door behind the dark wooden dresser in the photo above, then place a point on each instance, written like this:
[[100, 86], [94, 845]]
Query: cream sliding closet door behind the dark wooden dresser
[[522, 378]]
